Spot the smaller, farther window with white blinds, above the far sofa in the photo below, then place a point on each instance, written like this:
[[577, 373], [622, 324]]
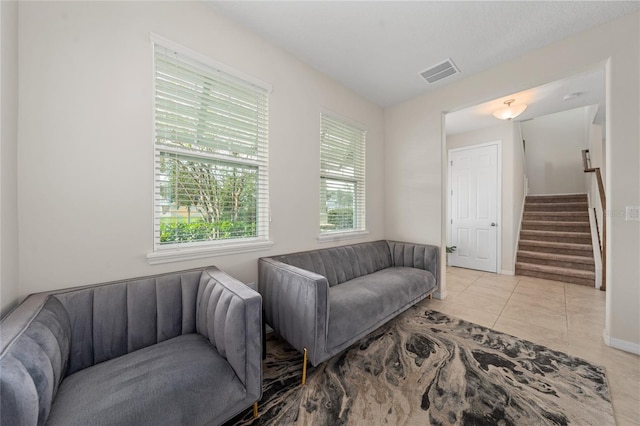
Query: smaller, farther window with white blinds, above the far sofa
[[342, 176]]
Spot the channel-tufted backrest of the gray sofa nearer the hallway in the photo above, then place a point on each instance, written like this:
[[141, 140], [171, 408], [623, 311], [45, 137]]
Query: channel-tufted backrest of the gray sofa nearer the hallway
[[341, 264]]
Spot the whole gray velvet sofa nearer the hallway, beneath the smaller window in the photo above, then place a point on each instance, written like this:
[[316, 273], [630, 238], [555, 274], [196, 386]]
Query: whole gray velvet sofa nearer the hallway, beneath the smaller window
[[325, 300]]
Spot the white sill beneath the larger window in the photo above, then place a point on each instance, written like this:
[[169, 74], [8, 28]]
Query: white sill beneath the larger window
[[169, 255]]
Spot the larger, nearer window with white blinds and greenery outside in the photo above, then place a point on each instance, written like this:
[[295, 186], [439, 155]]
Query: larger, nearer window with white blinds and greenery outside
[[211, 139]]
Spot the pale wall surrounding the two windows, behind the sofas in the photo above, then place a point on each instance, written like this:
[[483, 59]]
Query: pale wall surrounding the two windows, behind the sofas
[[85, 150]]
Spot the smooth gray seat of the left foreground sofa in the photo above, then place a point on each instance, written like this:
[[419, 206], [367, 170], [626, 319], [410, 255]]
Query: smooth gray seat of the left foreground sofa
[[179, 381]]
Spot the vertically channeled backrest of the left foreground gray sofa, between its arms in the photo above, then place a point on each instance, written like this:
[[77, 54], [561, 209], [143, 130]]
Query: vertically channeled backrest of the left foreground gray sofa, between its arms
[[112, 320]]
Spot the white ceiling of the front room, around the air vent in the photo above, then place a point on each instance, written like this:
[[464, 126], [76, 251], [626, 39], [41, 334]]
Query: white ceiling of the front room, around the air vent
[[377, 48]]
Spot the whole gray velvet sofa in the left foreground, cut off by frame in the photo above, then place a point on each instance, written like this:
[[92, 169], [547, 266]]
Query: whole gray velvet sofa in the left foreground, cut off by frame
[[175, 349]]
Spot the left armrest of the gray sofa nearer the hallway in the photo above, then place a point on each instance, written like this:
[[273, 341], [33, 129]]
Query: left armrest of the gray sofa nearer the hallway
[[296, 305]]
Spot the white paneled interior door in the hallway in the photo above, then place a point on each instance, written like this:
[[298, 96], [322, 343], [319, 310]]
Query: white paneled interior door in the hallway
[[474, 207]]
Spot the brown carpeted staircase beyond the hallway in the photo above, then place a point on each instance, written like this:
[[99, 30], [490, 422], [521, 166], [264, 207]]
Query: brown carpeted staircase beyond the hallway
[[555, 239]]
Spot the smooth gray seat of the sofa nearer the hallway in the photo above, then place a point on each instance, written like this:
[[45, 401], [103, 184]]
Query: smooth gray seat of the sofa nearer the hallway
[[365, 302]]
